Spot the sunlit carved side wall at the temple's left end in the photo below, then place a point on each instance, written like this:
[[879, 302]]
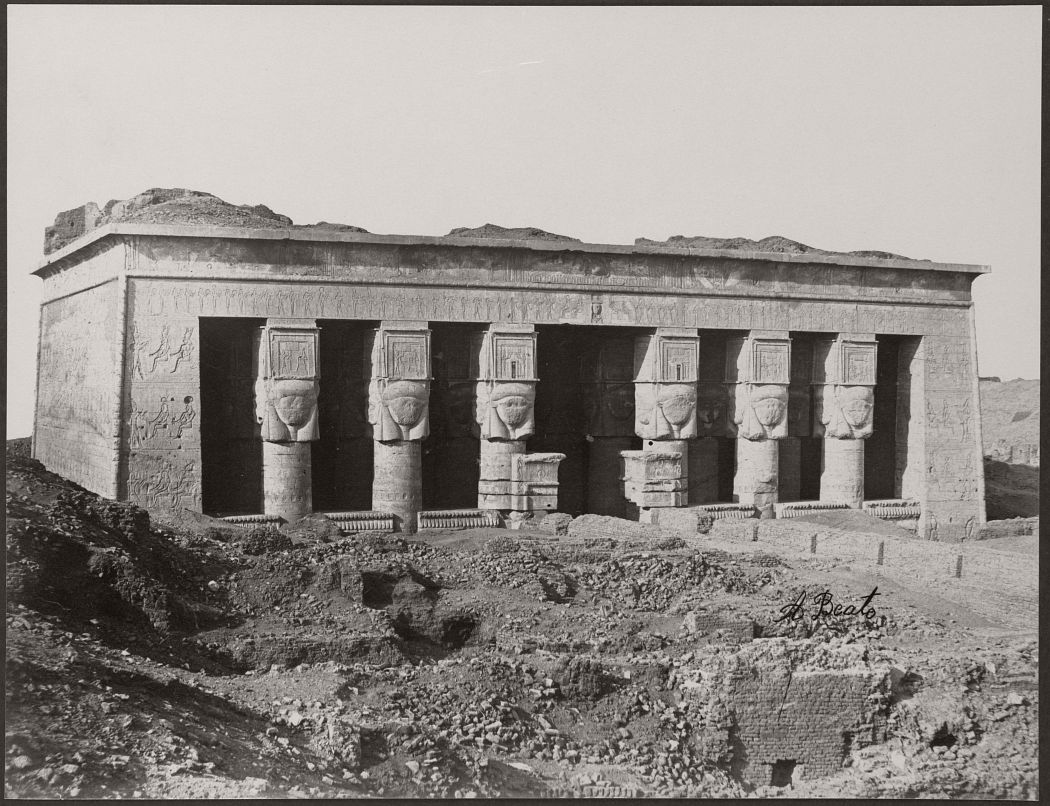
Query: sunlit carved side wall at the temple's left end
[[77, 417]]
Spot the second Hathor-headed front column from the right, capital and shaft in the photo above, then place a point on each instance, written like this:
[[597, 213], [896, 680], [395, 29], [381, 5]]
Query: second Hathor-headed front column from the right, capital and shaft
[[758, 375]]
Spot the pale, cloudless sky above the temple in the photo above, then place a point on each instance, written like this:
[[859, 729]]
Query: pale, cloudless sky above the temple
[[913, 131]]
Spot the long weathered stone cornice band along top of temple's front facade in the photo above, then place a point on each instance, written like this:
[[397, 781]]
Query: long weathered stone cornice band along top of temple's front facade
[[555, 271]]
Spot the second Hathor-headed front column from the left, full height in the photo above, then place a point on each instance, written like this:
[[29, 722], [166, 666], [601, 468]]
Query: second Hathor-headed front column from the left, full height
[[400, 391]]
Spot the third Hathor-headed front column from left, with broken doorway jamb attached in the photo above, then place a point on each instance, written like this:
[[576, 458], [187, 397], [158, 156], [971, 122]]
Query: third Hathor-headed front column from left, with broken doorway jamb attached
[[503, 362]]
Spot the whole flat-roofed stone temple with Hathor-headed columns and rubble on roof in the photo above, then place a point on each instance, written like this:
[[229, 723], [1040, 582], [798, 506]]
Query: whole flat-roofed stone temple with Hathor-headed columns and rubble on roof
[[218, 358]]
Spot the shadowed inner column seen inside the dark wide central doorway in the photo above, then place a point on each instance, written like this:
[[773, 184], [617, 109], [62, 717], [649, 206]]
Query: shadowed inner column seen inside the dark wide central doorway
[[607, 390]]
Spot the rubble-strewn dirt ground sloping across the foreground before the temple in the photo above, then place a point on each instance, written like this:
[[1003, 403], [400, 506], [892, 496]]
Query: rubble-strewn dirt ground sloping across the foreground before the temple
[[193, 660]]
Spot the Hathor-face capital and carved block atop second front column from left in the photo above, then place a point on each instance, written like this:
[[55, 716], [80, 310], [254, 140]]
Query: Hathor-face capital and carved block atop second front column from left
[[400, 387]]
